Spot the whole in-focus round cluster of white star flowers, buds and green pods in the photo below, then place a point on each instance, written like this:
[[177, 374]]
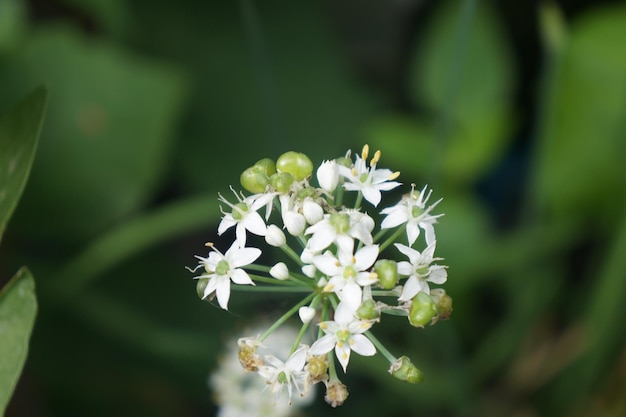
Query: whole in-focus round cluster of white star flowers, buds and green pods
[[348, 270]]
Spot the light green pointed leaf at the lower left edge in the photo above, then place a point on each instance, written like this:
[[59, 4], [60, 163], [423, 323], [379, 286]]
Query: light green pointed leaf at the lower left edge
[[18, 307]]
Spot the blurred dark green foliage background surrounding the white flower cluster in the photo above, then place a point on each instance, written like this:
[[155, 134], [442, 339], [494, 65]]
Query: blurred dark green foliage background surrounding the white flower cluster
[[514, 112]]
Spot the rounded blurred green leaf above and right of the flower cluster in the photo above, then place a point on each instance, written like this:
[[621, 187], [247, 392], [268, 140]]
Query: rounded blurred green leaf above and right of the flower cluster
[[468, 82]]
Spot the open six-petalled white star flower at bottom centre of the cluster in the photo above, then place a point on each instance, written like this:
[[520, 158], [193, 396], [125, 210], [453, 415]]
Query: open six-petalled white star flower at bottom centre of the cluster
[[344, 335]]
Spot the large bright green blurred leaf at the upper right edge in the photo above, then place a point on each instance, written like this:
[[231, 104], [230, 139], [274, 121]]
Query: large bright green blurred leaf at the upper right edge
[[581, 153]]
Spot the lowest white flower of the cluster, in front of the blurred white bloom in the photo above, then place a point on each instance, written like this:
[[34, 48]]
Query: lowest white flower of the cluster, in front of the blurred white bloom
[[291, 373]]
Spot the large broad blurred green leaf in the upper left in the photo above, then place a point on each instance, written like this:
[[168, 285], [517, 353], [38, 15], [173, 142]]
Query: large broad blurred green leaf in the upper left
[[108, 137]]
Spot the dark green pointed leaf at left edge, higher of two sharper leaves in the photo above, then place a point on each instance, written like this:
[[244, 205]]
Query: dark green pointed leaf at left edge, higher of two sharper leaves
[[19, 134]]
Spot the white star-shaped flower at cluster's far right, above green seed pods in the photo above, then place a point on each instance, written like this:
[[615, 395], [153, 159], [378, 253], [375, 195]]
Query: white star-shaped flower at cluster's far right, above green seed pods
[[419, 270]]
